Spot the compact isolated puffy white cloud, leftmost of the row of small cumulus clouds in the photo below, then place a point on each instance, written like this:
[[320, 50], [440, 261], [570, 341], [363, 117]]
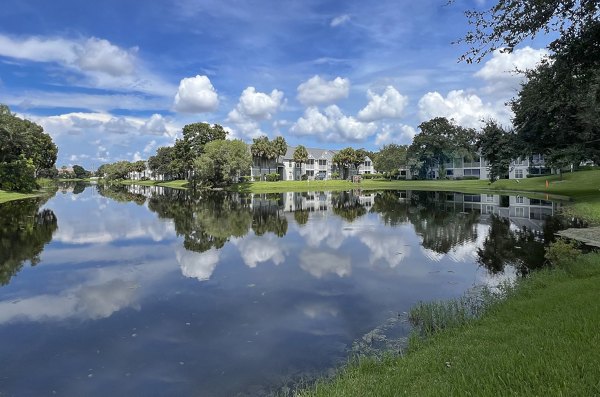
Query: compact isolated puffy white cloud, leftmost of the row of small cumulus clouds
[[196, 95]]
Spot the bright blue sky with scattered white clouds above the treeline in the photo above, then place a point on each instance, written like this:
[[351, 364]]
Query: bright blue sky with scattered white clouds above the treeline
[[114, 80]]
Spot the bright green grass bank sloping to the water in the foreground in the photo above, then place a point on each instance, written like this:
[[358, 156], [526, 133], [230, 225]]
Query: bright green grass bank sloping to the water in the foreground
[[541, 340]]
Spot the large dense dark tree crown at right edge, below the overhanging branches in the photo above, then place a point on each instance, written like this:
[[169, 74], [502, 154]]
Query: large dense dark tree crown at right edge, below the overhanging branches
[[558, 105]]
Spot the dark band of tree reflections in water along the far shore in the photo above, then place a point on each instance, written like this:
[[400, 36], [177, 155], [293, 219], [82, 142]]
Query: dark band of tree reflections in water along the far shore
[[209, 219]]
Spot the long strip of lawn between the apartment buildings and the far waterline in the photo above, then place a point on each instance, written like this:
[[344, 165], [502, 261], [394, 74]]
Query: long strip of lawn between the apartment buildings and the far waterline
[[582, 187]]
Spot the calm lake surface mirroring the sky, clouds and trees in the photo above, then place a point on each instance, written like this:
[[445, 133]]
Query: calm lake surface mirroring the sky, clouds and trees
[[140, 291]]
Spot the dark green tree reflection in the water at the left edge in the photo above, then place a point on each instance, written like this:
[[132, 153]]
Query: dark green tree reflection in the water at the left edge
[[24, 231]]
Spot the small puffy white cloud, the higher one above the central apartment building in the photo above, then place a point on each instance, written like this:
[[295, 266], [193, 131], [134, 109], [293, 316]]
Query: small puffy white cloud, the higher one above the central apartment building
[[318, 91]]
